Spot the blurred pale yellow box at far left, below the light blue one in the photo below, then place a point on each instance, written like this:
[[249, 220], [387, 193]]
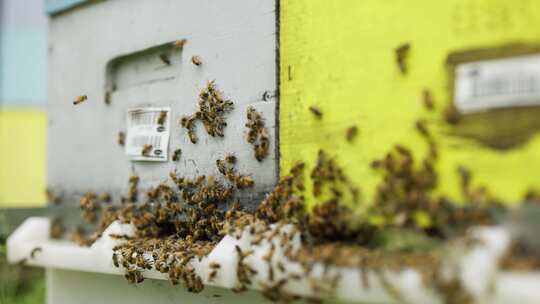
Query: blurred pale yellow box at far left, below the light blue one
[[22, 157]]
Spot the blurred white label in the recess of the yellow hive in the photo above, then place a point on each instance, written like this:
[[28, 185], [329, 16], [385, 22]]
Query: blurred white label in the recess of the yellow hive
[[497, 83]]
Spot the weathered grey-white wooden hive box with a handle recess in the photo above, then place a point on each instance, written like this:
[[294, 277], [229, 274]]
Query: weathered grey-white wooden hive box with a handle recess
[[114, 46]]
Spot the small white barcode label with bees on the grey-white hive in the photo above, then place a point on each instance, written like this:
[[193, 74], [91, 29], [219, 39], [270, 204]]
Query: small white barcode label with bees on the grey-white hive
[[148, 133]]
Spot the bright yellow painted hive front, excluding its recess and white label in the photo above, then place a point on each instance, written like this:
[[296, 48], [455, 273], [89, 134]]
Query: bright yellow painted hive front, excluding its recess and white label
[[339, 55]]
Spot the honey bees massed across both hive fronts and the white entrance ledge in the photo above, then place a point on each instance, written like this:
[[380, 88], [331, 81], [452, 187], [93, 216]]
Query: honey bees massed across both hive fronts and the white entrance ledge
[[184, 218]]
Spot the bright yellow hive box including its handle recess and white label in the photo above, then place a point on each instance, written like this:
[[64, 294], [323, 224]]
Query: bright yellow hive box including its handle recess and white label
[[343, 57]]
